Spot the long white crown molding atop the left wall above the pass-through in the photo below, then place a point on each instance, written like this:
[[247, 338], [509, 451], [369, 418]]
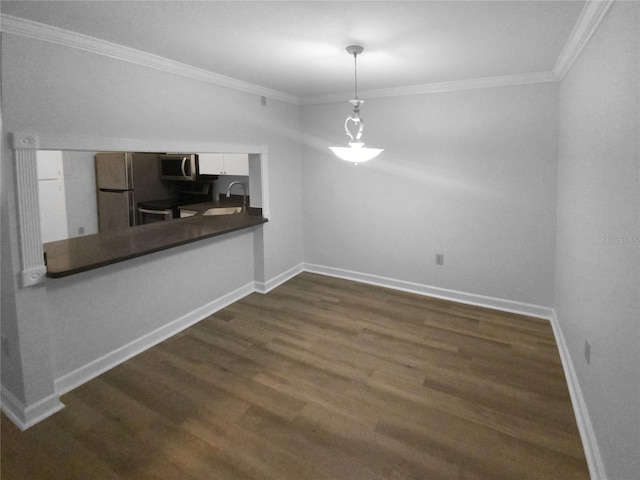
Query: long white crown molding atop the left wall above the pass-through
[[47, 33]]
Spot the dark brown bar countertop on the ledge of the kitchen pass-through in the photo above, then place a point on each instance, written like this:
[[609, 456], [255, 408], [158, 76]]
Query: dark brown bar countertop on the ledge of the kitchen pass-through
[[75, 255]]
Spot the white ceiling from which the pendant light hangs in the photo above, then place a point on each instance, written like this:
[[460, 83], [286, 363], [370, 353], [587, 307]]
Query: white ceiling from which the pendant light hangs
[[297, 47]]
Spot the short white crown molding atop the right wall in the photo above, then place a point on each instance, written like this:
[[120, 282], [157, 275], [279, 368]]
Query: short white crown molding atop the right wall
[[592, 14]]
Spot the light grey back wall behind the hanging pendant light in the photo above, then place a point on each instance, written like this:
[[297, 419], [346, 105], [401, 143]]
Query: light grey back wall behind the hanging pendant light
[[470, 174]]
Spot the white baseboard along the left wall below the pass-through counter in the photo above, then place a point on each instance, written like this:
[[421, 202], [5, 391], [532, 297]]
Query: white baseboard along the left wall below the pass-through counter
[[100, 365]]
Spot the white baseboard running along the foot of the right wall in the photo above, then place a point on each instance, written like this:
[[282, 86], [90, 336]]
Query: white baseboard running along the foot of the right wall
[[589, 442]]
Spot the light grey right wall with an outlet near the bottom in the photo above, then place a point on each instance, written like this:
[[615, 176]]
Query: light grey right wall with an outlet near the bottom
[[598, 245]]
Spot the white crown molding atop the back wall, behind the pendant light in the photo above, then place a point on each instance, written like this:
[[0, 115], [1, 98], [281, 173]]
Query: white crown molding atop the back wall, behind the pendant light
[[469, 84]]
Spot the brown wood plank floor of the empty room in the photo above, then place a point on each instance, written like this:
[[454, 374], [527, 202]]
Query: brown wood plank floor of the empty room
[[321, 379]]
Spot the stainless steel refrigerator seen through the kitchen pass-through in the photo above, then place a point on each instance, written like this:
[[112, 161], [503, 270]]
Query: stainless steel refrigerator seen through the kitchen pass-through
[[123, 180]]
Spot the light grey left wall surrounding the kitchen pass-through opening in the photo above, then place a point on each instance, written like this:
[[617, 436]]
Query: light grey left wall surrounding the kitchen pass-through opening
[[61, 326]]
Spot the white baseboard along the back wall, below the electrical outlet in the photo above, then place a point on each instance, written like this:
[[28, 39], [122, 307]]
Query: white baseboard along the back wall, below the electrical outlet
[[430, 291]]
